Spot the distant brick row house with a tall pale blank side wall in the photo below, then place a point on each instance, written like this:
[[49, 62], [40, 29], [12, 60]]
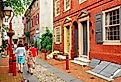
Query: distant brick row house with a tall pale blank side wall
[[39, 15]]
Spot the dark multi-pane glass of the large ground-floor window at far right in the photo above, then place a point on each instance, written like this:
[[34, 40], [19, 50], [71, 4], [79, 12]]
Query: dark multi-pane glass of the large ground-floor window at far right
[[112, 25]]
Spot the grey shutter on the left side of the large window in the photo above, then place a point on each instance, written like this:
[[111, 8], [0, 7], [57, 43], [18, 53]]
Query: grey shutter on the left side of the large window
[[99, 35]]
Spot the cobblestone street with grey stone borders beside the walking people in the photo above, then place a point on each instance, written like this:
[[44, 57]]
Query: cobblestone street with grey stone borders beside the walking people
[[45, 72]]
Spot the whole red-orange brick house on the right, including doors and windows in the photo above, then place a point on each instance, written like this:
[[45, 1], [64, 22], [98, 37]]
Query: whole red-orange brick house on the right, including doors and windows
[[88, 29]]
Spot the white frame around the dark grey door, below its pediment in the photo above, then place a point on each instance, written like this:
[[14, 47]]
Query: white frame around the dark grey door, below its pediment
[[80, 30]]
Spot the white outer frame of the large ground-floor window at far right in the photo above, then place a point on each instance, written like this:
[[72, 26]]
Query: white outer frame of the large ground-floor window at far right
[[109, 42]]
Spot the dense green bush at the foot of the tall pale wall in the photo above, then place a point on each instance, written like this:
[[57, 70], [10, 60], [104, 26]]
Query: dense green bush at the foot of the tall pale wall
[[46, 40]]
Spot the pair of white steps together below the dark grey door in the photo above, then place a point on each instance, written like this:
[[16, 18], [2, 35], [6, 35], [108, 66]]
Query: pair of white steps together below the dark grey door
[[81, 61]]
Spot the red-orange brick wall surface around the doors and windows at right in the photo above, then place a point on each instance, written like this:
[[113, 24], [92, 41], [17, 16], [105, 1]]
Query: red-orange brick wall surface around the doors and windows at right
[[104, 52]]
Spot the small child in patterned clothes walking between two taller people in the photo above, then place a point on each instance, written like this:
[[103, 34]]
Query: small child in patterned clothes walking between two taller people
[[30, 62]]
